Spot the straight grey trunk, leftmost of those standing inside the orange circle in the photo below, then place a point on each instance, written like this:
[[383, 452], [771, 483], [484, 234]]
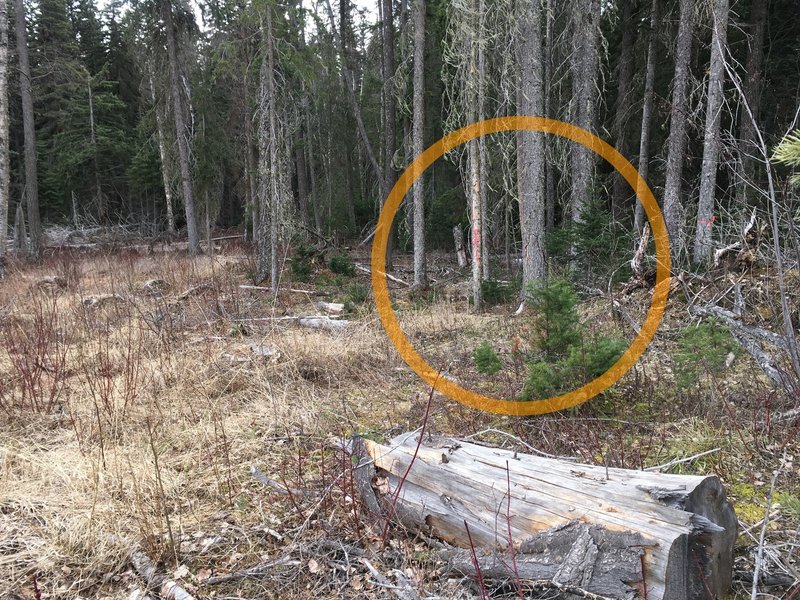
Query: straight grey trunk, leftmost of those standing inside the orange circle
[[418, 131]]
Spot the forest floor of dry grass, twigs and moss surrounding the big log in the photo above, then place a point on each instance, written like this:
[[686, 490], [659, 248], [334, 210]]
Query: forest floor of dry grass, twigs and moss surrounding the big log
[[139, 390]]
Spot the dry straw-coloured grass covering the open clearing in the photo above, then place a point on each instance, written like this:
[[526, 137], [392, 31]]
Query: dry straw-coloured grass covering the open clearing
[[144, 412]]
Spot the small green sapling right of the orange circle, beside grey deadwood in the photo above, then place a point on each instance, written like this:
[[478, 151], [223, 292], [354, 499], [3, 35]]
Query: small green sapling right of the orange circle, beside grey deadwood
[[702, 348]]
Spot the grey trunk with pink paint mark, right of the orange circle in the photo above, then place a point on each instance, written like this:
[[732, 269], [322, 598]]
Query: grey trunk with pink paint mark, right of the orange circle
[[711, 142]]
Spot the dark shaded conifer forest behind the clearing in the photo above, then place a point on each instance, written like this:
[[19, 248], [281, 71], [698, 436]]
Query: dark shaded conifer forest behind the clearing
[[338, 81]]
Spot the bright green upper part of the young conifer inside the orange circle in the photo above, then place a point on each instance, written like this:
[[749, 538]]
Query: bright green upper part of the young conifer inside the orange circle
[[556, 320]]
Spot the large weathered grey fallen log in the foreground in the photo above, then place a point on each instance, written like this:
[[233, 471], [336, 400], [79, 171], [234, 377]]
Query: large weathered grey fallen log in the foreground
[[604, 532]]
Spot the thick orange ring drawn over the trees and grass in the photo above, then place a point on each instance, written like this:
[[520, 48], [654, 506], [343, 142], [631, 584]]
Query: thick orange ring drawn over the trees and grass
[[431, 375]]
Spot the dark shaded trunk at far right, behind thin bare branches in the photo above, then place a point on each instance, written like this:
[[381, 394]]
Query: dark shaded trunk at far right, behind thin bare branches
[[752, 95]]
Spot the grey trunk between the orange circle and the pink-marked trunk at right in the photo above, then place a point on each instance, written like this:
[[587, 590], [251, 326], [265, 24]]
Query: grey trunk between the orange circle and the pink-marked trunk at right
[[676, 144]]
